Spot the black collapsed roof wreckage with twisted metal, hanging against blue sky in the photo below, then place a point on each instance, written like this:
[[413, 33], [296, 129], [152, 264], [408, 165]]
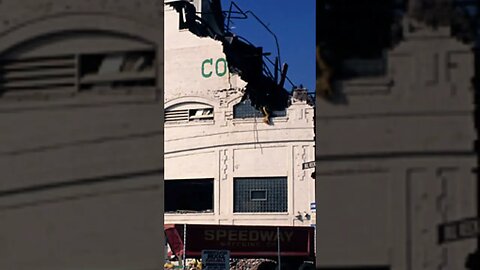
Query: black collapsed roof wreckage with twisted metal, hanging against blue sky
[[264, 88]]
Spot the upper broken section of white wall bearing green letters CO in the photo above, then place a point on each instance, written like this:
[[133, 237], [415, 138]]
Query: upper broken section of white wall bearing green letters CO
[[185, 54]]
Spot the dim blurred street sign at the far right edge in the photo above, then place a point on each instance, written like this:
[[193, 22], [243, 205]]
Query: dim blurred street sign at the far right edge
[[458, 230]]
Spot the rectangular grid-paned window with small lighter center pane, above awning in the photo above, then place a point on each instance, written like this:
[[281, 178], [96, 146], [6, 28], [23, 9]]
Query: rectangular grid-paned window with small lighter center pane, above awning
[[260, 195]]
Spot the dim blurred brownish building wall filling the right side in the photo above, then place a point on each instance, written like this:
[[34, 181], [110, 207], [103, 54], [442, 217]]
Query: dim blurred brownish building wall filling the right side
[[396, 158]]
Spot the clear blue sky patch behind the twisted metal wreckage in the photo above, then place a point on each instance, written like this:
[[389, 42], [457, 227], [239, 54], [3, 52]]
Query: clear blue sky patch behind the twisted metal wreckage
[[293, 22]]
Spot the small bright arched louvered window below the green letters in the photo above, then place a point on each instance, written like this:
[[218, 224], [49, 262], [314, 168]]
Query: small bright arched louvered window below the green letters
[[189, 112]]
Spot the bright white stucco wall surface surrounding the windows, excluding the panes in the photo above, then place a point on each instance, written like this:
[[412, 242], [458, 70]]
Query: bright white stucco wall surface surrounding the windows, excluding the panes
[[225, 148]]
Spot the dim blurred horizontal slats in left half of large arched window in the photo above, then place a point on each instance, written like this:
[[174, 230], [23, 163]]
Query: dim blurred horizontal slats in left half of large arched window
[[39, 73]]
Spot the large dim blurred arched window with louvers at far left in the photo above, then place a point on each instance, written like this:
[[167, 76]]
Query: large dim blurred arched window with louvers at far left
[[75, 62]]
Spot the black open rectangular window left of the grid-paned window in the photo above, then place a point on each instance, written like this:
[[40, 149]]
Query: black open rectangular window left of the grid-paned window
[[191, 195]]
